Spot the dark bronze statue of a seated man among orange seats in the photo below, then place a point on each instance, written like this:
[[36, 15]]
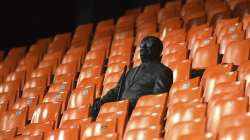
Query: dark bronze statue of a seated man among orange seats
[[151, 77]]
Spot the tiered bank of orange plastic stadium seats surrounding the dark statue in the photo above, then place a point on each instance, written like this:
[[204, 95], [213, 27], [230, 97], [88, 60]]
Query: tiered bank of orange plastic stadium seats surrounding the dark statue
[[47, 92]]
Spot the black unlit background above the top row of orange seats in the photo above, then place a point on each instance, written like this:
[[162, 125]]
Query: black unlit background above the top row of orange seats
[[23, 21]]
